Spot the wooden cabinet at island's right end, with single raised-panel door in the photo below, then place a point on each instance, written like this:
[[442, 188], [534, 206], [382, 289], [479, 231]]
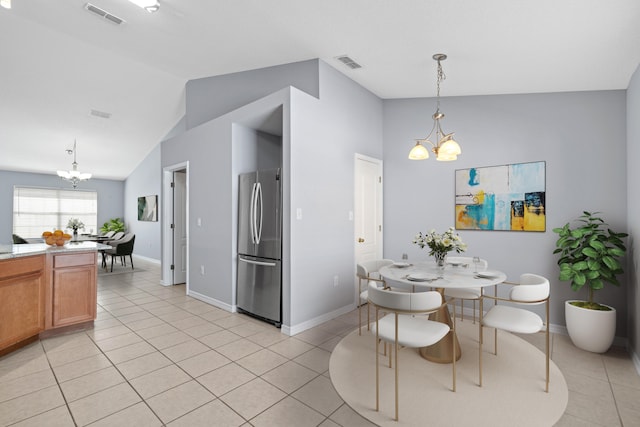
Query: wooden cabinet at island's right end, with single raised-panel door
[[73, 289]]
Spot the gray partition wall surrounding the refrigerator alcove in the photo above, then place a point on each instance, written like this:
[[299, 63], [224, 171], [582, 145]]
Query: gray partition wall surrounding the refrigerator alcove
[[320, 138]]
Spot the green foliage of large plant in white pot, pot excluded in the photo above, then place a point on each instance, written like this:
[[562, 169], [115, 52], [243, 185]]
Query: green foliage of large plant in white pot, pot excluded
[[590, 255]]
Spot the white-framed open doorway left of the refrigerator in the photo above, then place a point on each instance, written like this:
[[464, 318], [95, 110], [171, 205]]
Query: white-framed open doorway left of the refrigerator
[[175, 248]]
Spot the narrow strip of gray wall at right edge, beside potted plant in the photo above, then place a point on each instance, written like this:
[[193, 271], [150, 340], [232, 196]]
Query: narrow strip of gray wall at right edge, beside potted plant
[[633, 200]]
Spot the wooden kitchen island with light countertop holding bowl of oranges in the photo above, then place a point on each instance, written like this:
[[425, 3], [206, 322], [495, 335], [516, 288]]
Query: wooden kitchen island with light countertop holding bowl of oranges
[[46, 290]]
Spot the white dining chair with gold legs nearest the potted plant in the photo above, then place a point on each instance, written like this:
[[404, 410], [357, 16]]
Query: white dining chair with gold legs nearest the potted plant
[[532, 290]]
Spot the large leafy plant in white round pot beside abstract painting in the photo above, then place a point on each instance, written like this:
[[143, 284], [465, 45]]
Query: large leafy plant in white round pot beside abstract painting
[[590, 256]]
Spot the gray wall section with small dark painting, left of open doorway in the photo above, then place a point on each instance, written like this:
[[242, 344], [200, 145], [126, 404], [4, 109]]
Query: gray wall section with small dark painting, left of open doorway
[[145, 180]]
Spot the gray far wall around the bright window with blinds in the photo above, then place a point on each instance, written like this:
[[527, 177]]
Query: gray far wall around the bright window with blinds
[[110, 196]]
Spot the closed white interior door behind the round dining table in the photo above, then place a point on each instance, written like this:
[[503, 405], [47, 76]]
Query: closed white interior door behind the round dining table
[[368, 208]]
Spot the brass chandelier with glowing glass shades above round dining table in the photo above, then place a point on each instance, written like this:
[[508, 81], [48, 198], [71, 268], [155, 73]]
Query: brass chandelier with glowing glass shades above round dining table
[[447, 149]]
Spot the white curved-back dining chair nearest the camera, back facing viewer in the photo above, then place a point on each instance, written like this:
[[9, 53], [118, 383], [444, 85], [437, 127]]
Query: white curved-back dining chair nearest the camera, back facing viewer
[[405, 323]]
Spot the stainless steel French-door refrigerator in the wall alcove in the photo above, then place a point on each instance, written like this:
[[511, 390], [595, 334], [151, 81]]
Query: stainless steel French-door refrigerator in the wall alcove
[[259, 287]]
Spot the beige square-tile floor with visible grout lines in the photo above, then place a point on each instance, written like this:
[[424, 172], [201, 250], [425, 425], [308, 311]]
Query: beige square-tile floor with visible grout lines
[[157, 357]]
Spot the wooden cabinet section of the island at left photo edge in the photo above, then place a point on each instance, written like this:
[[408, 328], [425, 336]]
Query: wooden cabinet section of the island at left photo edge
[[22, 299]]
